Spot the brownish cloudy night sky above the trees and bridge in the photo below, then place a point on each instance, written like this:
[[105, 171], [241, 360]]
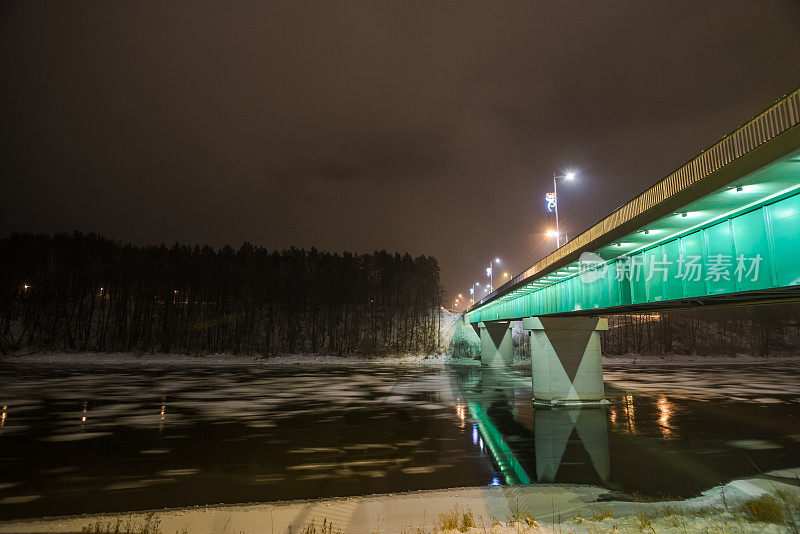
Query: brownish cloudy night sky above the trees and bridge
[[427, 127]]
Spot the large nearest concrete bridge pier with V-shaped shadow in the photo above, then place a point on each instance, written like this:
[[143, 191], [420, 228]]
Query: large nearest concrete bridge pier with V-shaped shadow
[[565, 359]]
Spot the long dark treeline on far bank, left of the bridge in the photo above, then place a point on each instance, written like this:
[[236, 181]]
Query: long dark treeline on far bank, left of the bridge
[[88, 293]]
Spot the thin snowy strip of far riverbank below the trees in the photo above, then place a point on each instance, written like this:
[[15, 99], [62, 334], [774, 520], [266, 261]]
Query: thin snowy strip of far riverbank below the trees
[[138, 358]]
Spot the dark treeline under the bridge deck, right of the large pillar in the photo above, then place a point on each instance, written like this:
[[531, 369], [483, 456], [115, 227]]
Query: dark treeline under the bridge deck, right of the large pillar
[[756, 330]]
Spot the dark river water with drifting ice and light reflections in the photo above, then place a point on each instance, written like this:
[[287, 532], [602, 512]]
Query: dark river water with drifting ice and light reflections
[[114, 439]]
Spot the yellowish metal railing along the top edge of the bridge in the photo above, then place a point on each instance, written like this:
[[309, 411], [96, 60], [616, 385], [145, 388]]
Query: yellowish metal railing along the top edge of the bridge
[[776, 119]]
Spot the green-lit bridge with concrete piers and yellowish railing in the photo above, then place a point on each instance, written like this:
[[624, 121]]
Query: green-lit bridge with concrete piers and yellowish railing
[[722, 229]]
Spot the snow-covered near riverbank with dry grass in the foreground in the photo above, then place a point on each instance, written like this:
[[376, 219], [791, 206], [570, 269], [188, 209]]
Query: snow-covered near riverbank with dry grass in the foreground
[[538, 508]]
